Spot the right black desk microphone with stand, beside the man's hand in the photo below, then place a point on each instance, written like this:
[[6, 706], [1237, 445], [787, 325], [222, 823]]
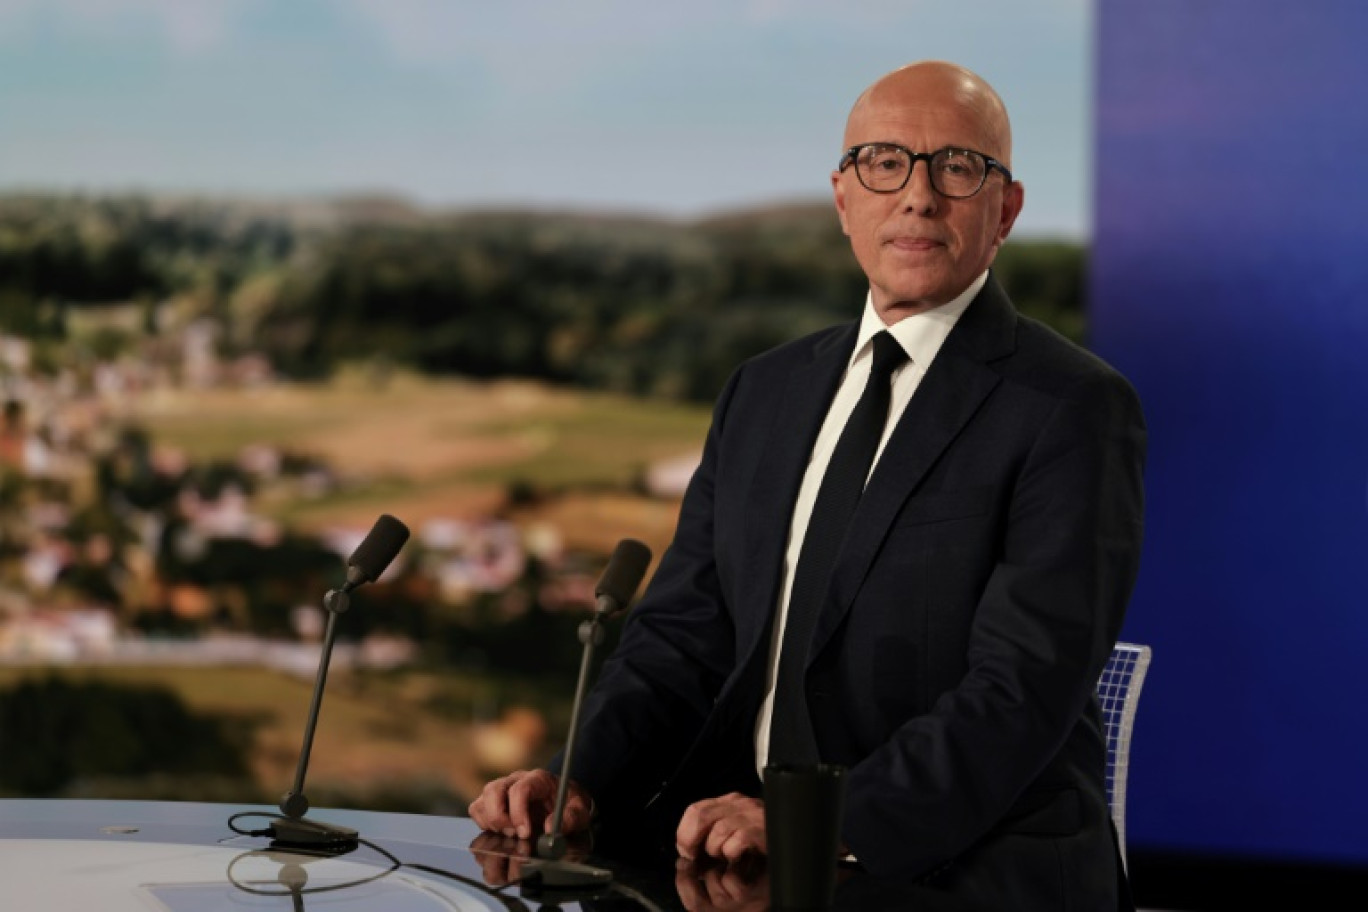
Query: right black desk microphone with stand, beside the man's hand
[[614, 594]]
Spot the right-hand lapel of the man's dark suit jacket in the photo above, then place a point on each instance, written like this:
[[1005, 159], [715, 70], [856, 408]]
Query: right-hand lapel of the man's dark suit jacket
[[953, 390]]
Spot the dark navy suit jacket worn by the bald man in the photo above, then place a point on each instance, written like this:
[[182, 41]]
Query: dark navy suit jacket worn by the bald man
[[971, 613]]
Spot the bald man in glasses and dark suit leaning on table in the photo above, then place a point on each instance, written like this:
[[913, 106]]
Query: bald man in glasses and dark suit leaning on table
[[961, 626]]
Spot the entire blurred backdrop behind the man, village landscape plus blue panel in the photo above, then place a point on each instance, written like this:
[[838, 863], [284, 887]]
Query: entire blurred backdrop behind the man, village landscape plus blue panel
[[272, 270]]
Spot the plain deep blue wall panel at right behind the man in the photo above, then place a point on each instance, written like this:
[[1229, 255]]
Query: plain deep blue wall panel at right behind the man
[[1231, 282]]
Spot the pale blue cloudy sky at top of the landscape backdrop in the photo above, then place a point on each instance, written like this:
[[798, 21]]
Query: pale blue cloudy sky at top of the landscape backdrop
[[674, 109]]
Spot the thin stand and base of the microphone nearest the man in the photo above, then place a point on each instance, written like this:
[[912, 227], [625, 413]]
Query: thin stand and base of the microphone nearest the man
[[549, 876]]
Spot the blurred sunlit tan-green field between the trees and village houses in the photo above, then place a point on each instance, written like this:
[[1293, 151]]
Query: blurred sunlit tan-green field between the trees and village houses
[[422, 448]]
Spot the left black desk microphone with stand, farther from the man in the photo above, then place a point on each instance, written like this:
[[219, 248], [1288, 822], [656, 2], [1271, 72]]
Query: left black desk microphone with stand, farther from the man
[[366, 565]]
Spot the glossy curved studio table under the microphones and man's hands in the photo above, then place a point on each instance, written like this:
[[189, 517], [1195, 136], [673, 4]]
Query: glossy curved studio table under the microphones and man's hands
[[179, 857]]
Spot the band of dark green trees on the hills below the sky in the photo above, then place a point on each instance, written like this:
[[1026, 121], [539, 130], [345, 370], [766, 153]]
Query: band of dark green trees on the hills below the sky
[[627, 304]]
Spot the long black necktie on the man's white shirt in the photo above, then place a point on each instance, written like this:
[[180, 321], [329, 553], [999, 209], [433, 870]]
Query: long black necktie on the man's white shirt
[[791, 731]]
